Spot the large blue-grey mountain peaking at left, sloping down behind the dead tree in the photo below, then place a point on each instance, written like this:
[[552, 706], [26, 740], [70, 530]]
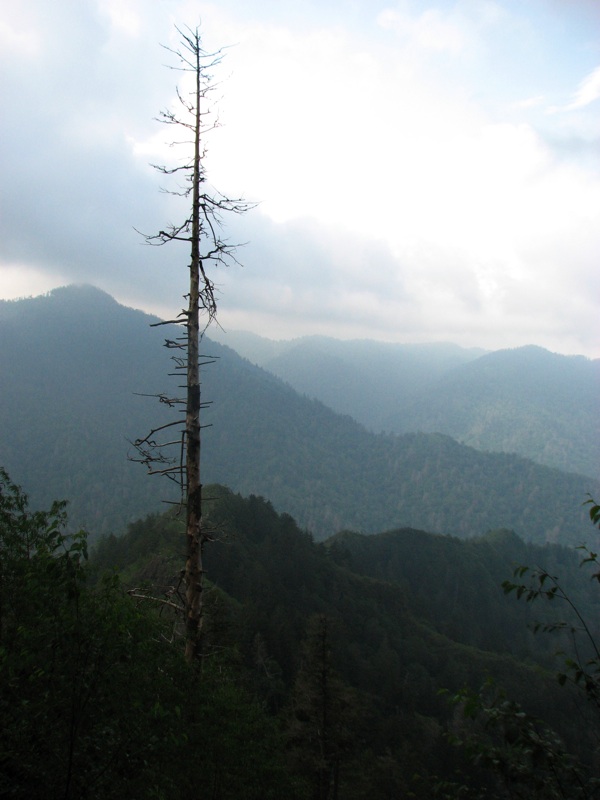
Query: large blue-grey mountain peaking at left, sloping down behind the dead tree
[[72, 362]]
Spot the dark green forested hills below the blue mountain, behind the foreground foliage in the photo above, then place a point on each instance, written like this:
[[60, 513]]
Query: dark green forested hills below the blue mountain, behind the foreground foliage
[[404, 615]]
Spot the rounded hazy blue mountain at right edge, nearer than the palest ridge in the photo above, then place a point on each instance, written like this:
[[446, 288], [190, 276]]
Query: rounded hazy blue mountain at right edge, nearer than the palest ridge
[[527, 401]]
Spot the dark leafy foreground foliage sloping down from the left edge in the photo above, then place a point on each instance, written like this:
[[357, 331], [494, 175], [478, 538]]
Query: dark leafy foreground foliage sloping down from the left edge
[[94, 701]]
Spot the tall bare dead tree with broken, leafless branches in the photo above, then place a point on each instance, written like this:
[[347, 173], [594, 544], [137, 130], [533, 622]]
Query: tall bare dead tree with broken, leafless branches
[[202, 231]]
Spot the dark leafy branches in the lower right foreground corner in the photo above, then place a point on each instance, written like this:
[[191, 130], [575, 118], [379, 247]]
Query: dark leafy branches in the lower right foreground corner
[[528, 757]]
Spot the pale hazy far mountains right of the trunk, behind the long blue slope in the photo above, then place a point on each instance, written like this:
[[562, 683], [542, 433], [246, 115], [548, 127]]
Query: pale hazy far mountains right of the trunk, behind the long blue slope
[[541, 405]]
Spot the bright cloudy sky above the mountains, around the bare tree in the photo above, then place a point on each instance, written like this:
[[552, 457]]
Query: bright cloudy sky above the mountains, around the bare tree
[[423, 170]]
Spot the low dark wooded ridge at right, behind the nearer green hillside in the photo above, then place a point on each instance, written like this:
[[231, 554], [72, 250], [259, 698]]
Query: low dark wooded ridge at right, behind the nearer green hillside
[[454, 583]]
